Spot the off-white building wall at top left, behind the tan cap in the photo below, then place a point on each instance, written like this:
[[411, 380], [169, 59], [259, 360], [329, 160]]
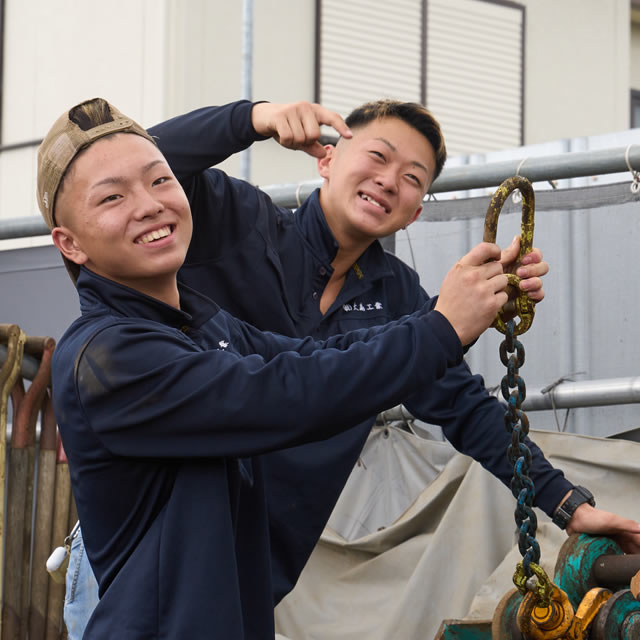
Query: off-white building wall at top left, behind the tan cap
[[60, 52]]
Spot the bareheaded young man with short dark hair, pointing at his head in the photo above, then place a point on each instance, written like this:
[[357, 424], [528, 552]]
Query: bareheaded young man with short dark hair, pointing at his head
[[298, 275]]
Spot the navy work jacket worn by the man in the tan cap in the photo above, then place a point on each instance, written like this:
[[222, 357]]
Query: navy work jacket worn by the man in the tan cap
[[166, 415]]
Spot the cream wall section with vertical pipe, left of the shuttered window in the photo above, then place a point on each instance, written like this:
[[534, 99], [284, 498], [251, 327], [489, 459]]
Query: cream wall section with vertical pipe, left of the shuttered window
[[205, 67]]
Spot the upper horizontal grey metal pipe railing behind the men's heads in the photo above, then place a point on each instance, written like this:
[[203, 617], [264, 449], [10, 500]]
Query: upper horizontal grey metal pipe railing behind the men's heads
[[576, 164]]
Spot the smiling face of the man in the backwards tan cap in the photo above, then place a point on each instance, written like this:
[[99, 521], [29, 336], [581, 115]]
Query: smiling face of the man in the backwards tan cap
[[122, 213]]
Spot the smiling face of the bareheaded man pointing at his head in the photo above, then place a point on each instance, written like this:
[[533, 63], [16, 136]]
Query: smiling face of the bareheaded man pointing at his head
[[375, 182]]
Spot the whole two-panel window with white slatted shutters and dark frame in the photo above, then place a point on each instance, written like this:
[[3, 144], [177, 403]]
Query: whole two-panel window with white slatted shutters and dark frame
[[464, 59]]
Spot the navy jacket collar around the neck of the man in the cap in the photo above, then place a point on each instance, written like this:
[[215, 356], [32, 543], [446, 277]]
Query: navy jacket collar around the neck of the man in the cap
[[93, 289]]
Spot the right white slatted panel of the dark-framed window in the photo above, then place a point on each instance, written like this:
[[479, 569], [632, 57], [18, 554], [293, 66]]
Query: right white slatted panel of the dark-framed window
[[474, 73]]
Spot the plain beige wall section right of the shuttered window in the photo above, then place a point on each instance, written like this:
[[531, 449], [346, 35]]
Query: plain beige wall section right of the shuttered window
[[576, 68]]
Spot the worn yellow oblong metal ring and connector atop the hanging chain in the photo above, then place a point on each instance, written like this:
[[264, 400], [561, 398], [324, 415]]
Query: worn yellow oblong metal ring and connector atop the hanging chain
[[524, 306]]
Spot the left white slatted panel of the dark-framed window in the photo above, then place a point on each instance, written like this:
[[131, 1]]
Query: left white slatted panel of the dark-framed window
[[369, 50]]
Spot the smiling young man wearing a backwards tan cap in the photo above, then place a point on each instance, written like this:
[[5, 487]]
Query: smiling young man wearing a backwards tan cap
[[167, 404]]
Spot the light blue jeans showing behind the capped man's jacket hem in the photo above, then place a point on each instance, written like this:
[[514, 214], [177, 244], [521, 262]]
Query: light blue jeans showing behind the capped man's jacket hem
[[81, 590]]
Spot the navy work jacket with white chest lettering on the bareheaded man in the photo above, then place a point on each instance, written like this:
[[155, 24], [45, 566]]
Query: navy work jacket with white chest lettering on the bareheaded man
[[269, 267]]
